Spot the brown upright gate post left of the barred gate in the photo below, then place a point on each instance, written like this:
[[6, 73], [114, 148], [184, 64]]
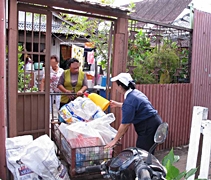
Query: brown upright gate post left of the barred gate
[[12, 68]]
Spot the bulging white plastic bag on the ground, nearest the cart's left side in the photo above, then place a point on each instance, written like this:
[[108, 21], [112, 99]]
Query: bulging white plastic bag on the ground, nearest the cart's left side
[[41, 158]]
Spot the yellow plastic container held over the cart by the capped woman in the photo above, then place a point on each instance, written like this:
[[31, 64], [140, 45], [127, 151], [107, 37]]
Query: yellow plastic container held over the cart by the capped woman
[[98, 100]]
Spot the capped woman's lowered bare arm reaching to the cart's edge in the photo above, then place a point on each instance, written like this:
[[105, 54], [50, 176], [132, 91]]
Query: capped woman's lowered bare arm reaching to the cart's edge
[[121, 131]]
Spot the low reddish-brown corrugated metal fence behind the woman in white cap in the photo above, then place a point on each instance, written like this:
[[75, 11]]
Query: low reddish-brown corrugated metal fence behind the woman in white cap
[[173, 102]]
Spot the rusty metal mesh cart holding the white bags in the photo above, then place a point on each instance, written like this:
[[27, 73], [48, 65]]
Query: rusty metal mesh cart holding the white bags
[[81, 152]]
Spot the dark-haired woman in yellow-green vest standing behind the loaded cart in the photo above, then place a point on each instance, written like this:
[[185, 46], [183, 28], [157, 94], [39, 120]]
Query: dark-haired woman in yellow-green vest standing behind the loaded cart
[[72, 80]]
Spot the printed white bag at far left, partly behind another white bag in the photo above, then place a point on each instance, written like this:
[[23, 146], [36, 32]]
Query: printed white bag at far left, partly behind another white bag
[[15, 149]]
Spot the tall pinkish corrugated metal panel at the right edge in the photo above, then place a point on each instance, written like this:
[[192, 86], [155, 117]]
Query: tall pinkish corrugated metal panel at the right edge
[[201, 55]]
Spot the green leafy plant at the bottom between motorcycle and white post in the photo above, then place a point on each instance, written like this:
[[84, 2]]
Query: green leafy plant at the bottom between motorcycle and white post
[[172, 172]]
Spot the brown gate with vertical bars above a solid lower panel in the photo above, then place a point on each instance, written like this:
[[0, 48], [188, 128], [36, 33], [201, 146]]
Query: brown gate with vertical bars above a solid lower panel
[[34, 39]]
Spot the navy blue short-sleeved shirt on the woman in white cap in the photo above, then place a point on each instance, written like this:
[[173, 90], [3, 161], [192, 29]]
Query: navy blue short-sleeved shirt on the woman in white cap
[[136, 108]]
